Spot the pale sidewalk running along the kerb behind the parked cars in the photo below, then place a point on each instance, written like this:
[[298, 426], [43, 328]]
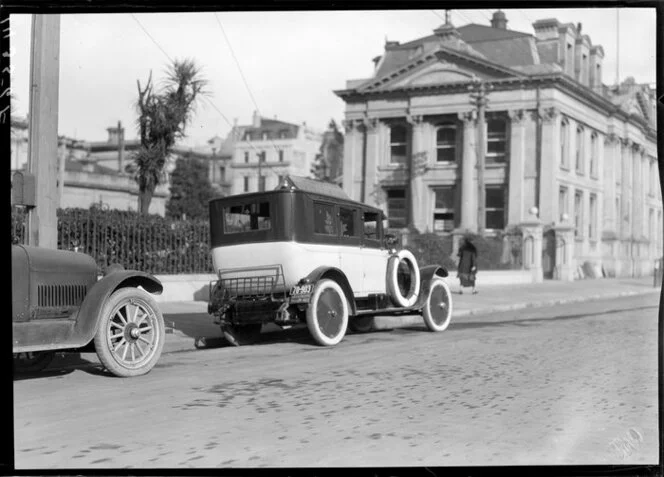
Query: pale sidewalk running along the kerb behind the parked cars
[[189, 325]]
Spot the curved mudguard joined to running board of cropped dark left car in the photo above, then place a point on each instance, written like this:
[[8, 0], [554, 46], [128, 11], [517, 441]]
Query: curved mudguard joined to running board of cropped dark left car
[[79, 329]]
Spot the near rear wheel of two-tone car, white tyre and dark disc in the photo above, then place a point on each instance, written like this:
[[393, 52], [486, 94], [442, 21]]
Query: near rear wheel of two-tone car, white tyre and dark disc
[[327, 314]]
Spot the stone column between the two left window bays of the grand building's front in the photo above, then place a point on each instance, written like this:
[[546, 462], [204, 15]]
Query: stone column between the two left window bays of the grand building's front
[[418, 153]]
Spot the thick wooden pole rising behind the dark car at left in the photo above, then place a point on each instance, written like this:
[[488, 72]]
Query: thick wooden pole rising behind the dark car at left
[[43, 129]]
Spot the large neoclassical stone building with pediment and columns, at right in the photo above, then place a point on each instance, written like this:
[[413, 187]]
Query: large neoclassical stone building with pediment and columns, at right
[[556, 138]]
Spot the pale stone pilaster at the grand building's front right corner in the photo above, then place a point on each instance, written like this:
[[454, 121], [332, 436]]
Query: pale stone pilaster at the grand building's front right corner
[[550, 163]]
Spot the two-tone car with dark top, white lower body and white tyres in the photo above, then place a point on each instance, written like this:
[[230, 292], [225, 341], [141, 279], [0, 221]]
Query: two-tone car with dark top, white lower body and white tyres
[[307, 253]]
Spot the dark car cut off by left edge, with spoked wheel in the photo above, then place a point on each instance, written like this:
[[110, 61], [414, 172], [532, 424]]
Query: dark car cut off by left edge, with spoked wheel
[[59, 303]]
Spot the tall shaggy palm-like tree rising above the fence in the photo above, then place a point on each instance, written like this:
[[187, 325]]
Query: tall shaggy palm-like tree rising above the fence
[[162, 120]]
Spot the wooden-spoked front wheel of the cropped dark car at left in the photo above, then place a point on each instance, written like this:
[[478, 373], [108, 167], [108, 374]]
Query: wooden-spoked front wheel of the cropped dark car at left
[[131, 333]]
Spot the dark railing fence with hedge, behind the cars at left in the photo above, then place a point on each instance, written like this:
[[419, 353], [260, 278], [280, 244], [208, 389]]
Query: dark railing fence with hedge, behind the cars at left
[[151, 244]]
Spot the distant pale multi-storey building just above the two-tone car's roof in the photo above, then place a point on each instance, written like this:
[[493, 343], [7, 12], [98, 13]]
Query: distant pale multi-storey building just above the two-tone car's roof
[[268, 150]]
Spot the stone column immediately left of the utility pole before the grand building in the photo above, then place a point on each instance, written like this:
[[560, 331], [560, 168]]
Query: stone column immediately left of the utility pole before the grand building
[[468, 179]]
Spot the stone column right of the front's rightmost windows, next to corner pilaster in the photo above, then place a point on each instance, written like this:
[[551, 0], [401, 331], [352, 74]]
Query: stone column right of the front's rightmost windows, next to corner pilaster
[[516, 182]]
